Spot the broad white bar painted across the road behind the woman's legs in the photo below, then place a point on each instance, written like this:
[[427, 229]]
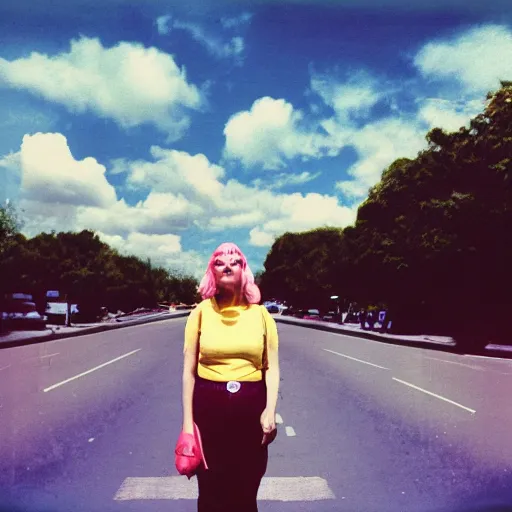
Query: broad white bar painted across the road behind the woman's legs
[[296, 488]]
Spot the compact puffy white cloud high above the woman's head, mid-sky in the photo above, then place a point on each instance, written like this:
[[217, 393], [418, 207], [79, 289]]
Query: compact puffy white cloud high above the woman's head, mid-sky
[[269, 134]]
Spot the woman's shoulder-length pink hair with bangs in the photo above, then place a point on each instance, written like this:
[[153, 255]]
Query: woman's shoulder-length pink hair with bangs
[[208, 286]]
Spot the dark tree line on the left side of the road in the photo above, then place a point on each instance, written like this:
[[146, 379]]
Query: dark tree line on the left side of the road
[[83, 269]]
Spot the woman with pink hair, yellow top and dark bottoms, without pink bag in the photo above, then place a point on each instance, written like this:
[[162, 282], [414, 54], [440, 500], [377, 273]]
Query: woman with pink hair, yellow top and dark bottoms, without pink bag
[[230, 383]]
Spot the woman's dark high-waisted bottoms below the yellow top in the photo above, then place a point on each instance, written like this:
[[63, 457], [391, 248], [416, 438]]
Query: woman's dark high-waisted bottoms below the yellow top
[[231, 432]]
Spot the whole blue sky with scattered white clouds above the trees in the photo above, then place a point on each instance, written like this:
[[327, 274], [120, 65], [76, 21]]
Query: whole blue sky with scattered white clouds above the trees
[[170, 129]]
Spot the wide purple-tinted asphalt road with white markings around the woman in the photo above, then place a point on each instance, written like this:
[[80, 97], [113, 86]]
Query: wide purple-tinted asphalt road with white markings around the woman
[[89, 424]]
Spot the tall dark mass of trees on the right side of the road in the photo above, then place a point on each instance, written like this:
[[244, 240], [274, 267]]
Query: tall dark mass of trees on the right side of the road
[[432, 242]]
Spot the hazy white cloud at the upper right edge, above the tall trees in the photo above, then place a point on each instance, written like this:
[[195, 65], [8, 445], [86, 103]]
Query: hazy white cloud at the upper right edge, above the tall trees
[[477, 59]]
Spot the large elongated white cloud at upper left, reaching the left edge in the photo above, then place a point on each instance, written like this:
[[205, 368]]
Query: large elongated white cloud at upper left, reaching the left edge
[[128, 83]]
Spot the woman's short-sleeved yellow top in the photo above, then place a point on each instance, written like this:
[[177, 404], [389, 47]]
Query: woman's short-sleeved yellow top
[[231, 340]]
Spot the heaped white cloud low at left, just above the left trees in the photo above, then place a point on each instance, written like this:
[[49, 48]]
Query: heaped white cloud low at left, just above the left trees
[[60, 193]]
